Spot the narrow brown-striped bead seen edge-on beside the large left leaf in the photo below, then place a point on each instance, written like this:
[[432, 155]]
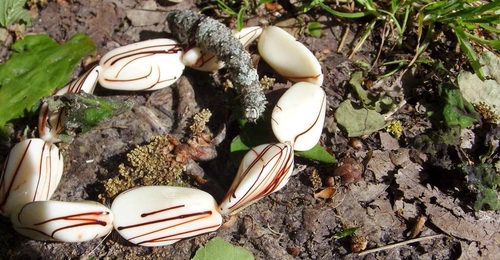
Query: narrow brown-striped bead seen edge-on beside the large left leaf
[[51, 124]]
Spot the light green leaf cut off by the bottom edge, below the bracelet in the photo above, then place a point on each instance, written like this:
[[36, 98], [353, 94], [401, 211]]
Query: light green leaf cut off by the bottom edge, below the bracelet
[[222, 250]]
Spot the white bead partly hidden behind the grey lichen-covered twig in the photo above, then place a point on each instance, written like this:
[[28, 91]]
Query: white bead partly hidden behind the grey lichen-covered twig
[[207, 61]]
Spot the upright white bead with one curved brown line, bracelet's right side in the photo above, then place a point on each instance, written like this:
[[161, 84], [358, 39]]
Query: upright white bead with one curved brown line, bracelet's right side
[[299, 116]]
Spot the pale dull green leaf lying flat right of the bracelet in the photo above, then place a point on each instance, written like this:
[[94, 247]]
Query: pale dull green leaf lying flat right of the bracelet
[[358, 121]]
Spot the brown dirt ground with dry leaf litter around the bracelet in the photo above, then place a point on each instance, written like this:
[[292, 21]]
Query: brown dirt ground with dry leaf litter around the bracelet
[[398, 186]]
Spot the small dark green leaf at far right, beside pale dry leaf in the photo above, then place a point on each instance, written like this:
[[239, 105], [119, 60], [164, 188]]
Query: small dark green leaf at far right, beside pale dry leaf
[[457, 111]]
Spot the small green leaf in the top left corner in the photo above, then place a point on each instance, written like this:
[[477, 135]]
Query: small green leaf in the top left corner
[[12, 11]]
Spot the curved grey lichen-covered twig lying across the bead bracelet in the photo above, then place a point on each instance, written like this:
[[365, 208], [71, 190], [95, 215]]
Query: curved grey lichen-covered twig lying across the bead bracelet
[[210, 35]]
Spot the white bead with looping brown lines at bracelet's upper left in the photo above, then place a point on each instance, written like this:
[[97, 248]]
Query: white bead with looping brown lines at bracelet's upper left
[[146, 65]]
